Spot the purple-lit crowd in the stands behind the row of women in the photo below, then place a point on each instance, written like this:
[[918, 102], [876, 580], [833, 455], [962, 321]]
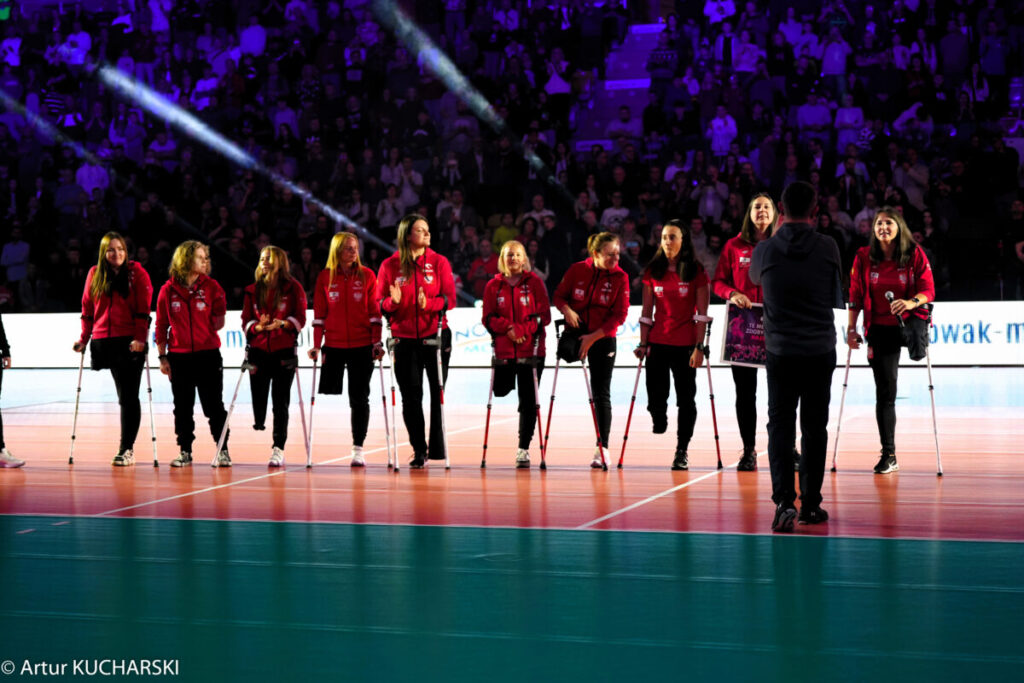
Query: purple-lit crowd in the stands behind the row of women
[[911, 104]]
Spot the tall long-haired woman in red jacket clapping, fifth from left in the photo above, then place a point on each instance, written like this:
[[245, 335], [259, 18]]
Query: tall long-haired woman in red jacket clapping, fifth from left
[[414, 288]]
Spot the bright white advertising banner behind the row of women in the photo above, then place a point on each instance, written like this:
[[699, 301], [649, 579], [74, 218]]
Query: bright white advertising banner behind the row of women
[[983, 333]]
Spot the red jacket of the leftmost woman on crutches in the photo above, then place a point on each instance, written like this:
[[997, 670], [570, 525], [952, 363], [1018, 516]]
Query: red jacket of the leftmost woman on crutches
[[115, 316]]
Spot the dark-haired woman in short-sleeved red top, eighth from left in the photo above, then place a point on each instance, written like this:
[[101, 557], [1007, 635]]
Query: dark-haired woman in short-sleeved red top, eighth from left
[[675, 290]]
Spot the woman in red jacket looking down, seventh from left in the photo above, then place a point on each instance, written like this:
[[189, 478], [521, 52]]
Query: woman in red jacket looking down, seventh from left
[[594, 297]]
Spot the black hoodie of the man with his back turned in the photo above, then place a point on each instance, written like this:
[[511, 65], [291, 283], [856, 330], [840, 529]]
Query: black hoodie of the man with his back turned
[[799, 273]]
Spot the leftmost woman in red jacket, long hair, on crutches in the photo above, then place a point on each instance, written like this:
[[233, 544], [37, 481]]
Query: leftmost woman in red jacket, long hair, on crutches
[[116, 318]]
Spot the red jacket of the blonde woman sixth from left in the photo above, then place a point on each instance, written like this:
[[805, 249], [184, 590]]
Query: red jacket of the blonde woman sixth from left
[[525, 309]]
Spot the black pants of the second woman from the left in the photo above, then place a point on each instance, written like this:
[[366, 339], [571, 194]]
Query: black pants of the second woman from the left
[[203, 372]]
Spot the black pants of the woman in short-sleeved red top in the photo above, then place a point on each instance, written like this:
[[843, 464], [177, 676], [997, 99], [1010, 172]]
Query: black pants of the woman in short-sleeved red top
[[663, 361]]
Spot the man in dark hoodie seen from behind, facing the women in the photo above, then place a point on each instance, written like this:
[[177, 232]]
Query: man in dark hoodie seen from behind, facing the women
[[799, 272]]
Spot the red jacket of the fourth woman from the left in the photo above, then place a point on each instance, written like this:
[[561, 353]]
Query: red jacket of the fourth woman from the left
[[346, 310]]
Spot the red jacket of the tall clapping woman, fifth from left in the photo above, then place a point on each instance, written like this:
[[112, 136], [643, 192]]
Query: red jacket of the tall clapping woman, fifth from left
[[434, 275]]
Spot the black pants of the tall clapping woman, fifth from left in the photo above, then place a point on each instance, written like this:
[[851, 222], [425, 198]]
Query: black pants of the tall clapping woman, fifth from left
[[413, 358]]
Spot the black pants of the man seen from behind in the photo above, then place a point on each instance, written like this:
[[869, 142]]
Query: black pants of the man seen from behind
[[805, 380]]
